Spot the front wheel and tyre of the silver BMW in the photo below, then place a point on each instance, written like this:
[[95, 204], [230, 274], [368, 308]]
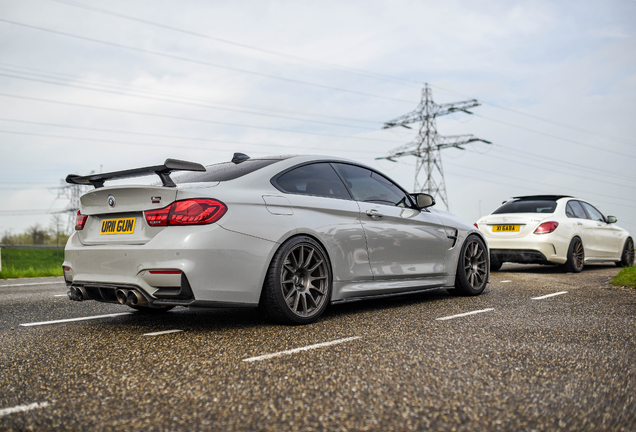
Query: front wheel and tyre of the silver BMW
[[472, 267]]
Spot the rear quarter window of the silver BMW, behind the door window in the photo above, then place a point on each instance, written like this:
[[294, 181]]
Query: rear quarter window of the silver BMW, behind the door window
[[316, 179]]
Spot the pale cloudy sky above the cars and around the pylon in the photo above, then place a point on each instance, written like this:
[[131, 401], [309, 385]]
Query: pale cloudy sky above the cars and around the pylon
[[103, 86]]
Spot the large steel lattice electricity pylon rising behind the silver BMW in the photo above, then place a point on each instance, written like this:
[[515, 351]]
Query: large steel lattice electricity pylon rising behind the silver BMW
[[428, 144]]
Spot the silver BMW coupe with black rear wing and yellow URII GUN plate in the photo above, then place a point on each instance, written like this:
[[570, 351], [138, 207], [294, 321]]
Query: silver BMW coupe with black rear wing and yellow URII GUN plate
[[289, 234]]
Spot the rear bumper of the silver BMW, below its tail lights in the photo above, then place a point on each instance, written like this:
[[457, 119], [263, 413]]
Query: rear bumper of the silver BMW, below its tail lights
[[220, 267]]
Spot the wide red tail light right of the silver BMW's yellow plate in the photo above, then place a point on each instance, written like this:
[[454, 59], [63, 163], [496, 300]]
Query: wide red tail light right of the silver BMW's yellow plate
[[187, 212]]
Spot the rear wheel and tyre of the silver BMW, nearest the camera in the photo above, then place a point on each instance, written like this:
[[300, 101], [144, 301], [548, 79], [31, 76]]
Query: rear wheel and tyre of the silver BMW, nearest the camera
[[298, 283]]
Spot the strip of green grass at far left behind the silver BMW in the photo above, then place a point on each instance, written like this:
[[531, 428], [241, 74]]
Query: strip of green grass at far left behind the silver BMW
[[25, 263]]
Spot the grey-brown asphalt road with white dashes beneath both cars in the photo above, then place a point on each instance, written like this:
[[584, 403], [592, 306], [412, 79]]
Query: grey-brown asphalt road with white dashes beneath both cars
[[539, 350]]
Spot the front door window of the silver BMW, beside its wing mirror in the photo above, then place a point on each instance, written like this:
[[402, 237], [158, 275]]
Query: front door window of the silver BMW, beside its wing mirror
[[369, 186]]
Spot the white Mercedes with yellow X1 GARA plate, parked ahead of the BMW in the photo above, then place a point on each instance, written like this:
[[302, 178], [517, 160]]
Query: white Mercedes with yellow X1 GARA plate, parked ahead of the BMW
[[554, 229]]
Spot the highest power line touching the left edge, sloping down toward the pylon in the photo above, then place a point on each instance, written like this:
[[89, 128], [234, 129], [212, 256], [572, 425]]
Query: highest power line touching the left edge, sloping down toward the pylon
[[201, 62]]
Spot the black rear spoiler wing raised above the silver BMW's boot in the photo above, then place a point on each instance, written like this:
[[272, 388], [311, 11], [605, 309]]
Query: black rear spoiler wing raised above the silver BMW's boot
[[163, 171]]
